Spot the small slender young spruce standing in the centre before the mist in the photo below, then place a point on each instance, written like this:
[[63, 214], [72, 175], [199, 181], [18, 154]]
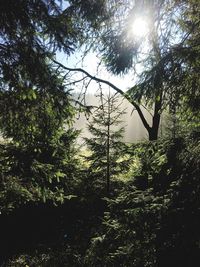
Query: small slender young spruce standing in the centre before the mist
[[106, 146]]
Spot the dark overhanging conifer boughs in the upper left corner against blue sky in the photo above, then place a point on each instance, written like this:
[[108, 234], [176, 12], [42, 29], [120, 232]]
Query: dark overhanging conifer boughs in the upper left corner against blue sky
[[30, 33]]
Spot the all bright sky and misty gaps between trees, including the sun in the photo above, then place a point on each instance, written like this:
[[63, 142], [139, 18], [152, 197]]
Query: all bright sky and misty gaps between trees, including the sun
[[134, 127]]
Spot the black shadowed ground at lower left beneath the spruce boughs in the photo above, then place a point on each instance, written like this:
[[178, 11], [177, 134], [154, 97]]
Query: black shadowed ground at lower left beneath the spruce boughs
[[38, 227]]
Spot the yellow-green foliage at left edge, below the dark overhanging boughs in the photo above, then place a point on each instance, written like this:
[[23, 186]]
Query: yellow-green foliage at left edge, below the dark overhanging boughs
[[32, 117]]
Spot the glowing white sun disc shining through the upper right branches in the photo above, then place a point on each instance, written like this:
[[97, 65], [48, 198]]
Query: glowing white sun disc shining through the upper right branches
[[139, 28]]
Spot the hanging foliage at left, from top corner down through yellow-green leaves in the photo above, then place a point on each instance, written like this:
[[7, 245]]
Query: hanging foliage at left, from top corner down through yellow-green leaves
[[31, 32]]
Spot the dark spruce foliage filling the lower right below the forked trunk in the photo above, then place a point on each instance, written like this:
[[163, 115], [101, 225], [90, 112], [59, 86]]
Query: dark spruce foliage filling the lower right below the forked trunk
[[155, 225]]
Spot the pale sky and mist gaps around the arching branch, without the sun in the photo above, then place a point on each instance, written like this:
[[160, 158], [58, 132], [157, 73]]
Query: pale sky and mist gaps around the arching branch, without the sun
[[134, 129]]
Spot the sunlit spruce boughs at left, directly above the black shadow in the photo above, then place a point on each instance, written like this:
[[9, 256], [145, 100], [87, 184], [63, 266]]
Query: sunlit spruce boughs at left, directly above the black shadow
[[44, 173]]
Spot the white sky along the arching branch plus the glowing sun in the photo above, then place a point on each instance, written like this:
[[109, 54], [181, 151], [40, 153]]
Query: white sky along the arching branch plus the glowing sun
[[138, 29]]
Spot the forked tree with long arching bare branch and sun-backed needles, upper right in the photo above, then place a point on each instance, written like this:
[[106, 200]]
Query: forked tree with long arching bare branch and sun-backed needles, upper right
[[164, 62]]
